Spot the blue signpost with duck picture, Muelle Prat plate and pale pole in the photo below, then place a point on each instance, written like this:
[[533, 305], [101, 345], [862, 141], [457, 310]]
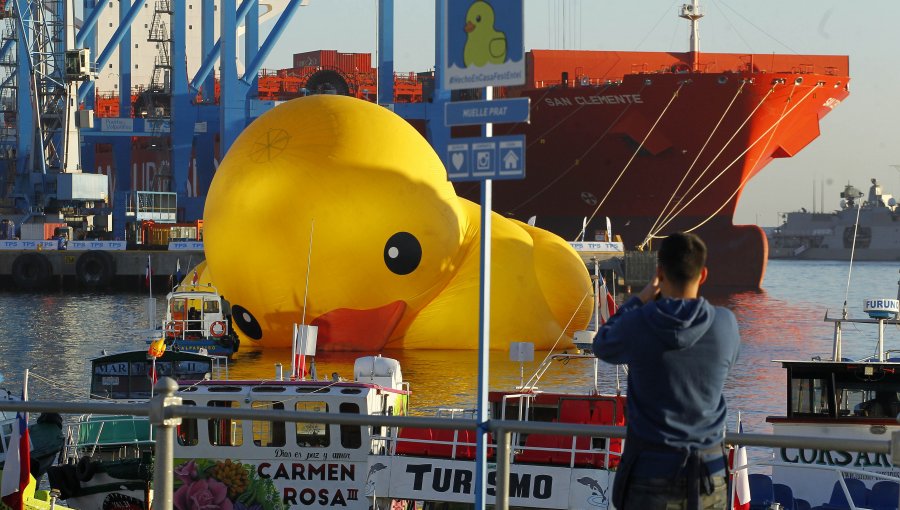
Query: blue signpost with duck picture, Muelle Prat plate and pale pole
[[482, 46]]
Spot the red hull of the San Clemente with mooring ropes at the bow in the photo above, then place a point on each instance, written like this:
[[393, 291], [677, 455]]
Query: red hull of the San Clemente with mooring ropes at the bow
[[662, 152]]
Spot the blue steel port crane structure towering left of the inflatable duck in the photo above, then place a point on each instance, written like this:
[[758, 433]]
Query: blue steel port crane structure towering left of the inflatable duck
[[42, 104]]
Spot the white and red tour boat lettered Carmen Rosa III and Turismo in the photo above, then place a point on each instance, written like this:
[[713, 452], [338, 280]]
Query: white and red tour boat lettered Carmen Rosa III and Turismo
[[313, 465]]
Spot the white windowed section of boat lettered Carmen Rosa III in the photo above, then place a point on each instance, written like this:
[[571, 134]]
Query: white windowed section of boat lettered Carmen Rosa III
[[308, 464]]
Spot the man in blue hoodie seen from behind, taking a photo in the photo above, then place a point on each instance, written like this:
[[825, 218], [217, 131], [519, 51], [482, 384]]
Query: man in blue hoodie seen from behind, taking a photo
[[679, 349]]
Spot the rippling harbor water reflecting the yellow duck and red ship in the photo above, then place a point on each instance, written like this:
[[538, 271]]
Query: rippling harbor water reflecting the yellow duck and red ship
[[54, 335]]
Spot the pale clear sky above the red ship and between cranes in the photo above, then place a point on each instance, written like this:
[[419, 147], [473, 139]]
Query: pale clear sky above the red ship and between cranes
[[859, 140]]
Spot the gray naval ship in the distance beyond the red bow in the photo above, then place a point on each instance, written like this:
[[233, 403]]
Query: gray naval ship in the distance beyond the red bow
[[829, 236]]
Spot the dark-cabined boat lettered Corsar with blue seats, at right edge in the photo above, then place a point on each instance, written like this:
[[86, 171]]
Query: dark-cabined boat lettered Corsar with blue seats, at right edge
[[839, 398]]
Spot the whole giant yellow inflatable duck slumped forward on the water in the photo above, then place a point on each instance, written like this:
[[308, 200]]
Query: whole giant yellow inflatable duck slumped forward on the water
[[393, 252]]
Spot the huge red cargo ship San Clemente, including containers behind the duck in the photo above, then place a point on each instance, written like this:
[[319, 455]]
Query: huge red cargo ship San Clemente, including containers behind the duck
[[654, 141]]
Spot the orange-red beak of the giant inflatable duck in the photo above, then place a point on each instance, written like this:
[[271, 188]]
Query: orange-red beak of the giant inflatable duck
[[346, 329]]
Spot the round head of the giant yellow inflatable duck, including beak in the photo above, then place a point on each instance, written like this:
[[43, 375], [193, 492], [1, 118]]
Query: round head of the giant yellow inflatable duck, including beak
[[335, 212]]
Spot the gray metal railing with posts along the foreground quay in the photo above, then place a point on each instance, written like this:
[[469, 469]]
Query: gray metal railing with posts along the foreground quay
[[165, 412]]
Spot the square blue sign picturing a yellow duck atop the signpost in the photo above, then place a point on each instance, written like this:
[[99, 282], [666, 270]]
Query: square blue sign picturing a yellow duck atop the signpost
[[484, 44]]
